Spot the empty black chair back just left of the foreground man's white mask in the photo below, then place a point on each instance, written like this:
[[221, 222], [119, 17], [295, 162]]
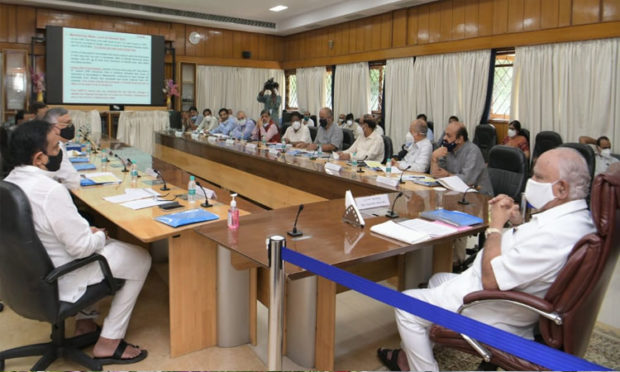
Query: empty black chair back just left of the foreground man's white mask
[[508, 171]]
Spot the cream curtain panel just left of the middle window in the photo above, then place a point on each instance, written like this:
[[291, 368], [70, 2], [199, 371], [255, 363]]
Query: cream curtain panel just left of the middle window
[[352, 89]]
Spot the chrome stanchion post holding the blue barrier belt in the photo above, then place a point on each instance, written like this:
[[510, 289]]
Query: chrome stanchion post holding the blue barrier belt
[[276, 291]]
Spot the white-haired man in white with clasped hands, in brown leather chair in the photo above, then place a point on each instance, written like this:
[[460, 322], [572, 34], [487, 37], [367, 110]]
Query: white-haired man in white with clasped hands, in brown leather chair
[[527, 258]]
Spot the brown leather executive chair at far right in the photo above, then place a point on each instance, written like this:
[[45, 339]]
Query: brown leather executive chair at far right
[[570, 307]]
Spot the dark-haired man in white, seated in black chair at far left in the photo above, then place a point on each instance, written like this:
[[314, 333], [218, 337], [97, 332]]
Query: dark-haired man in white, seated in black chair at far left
[[67, 236]]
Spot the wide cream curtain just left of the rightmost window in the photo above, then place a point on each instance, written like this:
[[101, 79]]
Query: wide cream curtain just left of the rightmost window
[[451, 84]]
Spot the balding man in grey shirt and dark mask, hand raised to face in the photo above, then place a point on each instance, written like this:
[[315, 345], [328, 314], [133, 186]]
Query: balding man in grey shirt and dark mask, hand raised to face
[[457, 156]]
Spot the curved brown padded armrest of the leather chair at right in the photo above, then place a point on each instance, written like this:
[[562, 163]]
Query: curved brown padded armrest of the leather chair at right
[[524, 300]]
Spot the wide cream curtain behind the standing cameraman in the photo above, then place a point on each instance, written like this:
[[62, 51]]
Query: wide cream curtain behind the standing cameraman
[[234, 87]]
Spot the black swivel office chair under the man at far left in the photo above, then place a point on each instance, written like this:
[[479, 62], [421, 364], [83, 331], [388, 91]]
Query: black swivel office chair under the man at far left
[[29, 285]]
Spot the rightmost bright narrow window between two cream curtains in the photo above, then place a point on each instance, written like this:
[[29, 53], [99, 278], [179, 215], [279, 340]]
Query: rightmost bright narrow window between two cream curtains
[[502, 86]]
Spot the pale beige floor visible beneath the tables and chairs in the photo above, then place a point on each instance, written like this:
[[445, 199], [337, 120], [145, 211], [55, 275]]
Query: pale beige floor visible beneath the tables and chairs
[[363, 326]]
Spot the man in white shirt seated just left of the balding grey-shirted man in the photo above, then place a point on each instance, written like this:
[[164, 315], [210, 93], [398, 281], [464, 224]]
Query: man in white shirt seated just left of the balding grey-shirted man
[[419, 152]]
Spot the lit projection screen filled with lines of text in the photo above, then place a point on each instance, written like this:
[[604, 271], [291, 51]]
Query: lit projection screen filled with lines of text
[[106, 67]]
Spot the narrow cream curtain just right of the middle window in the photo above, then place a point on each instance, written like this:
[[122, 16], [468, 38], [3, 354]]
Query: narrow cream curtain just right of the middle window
[[399, 93]]
